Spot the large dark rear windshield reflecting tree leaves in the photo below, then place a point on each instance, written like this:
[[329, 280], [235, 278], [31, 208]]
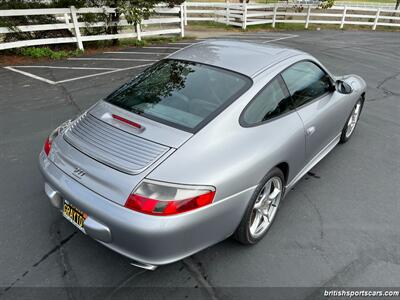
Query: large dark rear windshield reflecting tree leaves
[[182, 94]]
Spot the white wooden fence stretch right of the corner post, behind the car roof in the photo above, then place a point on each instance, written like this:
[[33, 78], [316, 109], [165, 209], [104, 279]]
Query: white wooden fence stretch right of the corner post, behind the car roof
[[243, 15]]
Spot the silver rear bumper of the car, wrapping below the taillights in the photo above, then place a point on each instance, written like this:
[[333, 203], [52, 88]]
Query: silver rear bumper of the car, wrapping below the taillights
[[144, 238]]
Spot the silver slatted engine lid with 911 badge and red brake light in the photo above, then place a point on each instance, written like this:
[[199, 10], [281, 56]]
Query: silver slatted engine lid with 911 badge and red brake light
[[113, 156]]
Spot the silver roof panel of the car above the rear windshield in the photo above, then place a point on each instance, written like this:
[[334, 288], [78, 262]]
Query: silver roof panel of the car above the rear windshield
[[248, 58]]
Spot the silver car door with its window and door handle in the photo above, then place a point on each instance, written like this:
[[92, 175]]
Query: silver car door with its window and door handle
[[312, 95]]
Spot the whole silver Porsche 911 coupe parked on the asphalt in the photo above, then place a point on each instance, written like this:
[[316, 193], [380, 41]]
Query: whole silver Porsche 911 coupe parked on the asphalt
[[200, 146]]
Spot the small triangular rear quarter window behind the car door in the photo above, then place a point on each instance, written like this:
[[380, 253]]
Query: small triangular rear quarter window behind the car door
[[271, 102]]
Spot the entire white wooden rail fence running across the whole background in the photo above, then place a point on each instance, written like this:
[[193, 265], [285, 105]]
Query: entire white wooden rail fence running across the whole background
[[173, 20]]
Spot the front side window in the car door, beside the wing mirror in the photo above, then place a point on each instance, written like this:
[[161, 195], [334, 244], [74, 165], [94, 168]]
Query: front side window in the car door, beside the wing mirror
[[306, 82]]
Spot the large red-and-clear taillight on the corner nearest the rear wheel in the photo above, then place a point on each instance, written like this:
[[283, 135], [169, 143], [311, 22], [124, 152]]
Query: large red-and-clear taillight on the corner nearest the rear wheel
[[163, 199]]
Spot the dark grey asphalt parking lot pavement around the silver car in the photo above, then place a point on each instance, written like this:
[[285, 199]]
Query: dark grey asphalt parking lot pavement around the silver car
[[340, 227]]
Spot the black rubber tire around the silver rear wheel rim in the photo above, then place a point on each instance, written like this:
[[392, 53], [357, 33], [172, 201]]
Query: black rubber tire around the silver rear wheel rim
[[242, 233]]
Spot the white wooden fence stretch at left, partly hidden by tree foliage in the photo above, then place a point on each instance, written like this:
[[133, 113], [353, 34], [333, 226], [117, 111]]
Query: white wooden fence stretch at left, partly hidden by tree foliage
[[69, 20]]
